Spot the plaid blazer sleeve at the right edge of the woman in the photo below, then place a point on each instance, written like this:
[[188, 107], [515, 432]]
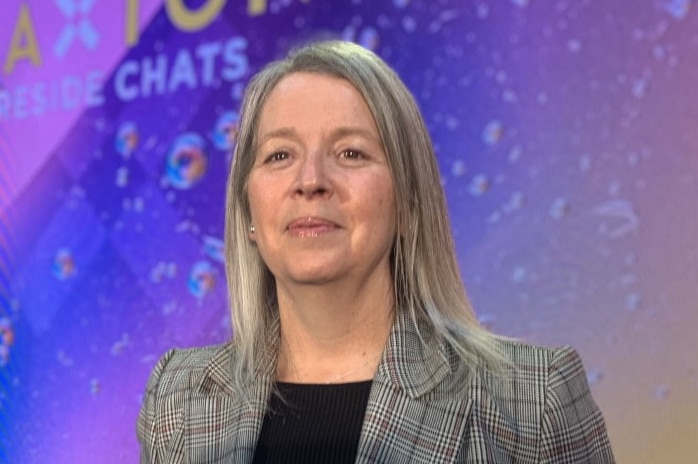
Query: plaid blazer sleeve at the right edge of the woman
[[573, 429]]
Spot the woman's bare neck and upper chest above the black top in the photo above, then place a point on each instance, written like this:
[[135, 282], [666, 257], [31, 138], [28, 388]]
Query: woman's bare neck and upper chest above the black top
[[333, 334]]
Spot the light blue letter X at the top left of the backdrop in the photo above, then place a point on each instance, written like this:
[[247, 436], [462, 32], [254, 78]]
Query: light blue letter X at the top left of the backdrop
[[75, 27]]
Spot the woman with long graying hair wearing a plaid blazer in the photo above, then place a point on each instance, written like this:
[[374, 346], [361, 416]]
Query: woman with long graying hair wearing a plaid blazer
[[354, 340]]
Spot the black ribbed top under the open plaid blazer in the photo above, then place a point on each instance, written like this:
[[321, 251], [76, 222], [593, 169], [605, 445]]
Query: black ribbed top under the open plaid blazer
[[313, 423]]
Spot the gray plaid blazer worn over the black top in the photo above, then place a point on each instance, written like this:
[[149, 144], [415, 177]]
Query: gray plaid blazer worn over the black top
[[420, 409]]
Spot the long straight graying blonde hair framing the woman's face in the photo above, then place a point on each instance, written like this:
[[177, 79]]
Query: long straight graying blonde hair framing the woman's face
[[426, 278]]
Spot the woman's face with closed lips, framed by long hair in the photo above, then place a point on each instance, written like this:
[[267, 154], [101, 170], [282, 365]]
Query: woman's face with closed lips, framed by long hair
[[321, 192]]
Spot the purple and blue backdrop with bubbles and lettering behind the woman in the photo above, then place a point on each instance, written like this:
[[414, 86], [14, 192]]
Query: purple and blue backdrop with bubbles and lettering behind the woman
[[565, 135]]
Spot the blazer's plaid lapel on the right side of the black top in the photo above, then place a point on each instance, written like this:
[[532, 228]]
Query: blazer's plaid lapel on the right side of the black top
[[413, 415]]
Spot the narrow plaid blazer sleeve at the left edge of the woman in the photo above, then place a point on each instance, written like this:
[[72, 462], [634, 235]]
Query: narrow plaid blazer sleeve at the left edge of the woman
[[146, 423]]
